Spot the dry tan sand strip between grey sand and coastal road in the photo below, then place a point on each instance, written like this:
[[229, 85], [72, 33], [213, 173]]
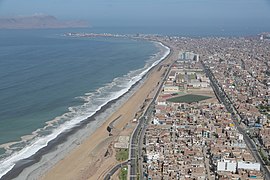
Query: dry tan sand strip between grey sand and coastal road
[[95, 156]]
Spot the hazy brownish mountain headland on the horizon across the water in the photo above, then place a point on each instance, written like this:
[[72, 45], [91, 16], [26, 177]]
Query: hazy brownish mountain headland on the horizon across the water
[[38, 22]]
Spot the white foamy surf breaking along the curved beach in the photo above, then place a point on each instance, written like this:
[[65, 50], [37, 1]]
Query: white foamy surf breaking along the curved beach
[[93, 102]]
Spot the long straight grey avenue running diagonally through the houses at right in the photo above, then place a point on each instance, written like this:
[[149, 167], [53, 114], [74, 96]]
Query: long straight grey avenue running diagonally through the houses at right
[[223, 97]]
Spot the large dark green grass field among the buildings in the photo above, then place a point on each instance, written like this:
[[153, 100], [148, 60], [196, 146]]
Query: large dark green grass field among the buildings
[[189, 98]]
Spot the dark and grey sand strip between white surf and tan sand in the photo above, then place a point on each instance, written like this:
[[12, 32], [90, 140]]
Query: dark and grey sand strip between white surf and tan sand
[[37, 164]]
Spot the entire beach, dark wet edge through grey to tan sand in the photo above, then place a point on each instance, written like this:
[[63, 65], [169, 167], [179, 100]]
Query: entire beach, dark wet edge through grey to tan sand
[[86, 151]]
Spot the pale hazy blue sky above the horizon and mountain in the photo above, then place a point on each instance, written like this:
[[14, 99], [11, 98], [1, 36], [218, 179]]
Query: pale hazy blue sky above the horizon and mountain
[[145, 12]]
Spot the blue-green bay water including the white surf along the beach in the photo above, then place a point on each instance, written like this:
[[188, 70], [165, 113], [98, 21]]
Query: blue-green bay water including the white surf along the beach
[[49, 83]]
